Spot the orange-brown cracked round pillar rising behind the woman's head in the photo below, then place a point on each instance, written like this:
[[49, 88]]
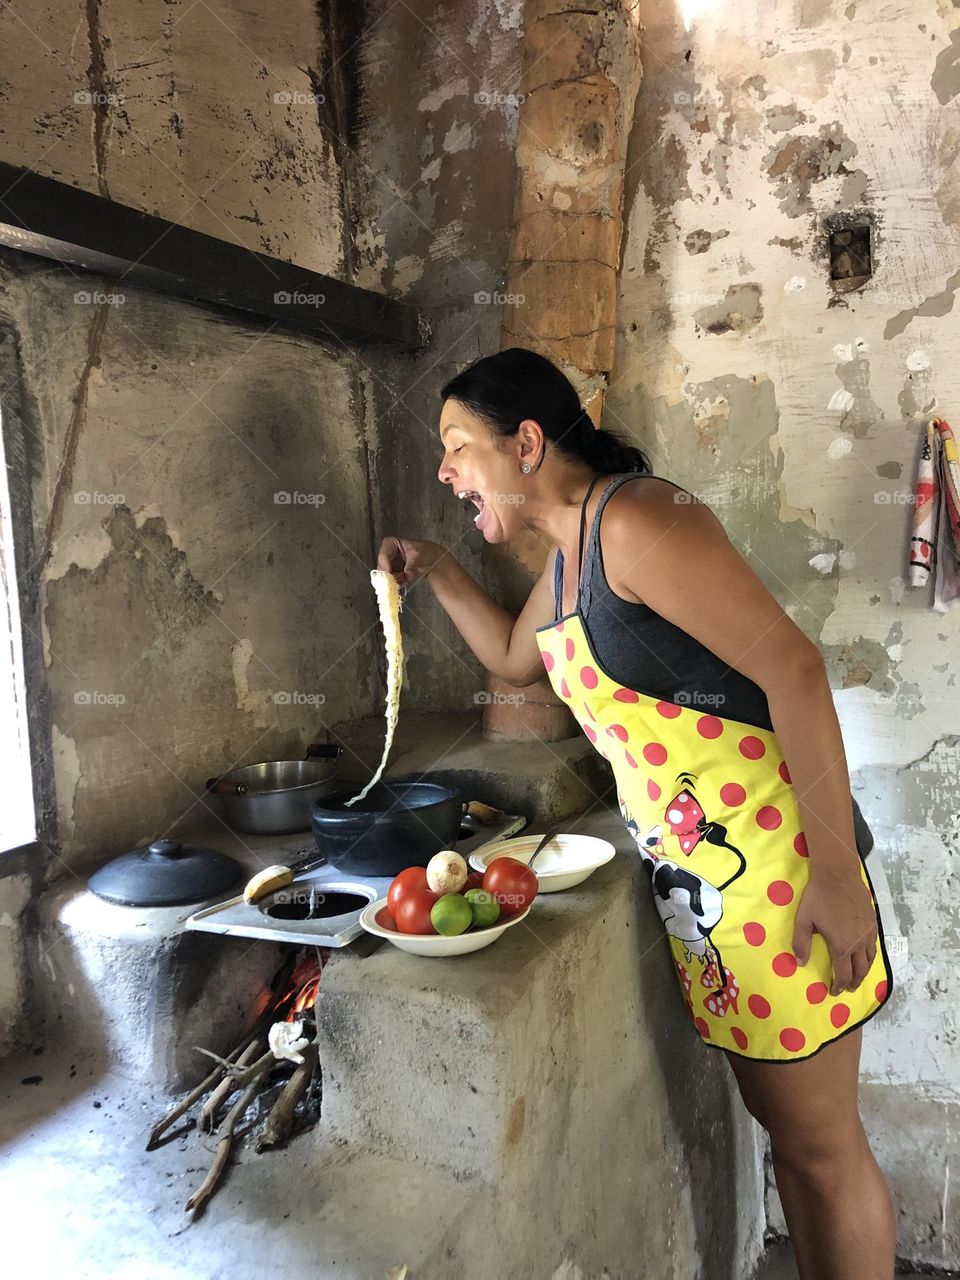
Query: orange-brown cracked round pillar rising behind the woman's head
[[582, 74]]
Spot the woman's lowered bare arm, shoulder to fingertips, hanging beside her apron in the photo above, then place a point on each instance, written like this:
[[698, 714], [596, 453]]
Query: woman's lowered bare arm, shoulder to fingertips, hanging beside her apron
[[711, 592]]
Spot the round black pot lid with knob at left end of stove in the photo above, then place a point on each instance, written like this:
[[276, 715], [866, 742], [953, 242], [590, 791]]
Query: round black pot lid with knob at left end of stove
[[166, 874]]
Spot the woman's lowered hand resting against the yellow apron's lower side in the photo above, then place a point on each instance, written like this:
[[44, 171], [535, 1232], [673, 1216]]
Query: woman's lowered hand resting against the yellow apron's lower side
[[838, 904]]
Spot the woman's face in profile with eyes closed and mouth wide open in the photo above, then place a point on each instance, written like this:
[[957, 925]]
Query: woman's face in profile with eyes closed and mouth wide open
[[483, 470]]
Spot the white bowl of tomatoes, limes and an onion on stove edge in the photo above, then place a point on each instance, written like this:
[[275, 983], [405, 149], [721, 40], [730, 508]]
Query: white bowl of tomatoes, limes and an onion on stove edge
[[446, 911]]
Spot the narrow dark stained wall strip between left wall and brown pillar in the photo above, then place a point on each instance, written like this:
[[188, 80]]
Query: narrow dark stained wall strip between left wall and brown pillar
[[437, 177]]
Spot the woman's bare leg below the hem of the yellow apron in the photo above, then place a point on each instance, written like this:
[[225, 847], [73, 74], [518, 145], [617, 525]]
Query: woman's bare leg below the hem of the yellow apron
[[835, 1200]]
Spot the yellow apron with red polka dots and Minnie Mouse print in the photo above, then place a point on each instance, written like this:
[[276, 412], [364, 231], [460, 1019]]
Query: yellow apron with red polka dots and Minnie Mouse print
[[710, 803]]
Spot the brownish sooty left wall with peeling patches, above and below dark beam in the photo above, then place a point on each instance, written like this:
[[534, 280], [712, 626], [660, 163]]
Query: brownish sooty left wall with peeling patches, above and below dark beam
[[198, 482]]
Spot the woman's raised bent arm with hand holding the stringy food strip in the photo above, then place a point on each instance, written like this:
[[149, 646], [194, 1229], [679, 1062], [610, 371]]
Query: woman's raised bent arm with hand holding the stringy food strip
[[506, 646]]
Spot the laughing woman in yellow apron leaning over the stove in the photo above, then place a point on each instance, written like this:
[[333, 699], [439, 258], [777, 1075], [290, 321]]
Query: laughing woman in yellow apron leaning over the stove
[[717, 719]]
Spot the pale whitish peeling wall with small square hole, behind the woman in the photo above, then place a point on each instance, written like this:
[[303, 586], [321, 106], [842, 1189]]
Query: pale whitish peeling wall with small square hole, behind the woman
[[797, 413]]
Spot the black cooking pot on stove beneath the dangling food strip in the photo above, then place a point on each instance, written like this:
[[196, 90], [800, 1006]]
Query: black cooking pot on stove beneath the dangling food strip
[[399, 824]]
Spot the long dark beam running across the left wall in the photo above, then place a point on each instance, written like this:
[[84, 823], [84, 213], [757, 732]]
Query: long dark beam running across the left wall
[[51, 220]]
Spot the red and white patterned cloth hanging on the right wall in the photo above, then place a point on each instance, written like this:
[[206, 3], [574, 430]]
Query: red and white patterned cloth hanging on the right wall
[[935, 545]]
